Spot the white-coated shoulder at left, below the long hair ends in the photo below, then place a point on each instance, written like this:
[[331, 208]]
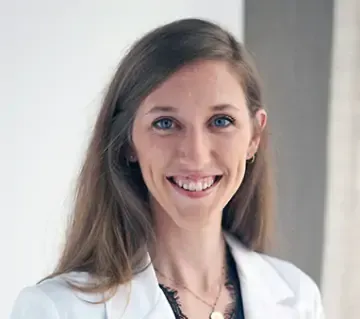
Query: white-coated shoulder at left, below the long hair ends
[[54, 298]]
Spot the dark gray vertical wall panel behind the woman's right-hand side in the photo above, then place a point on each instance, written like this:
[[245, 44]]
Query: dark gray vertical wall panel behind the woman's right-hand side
[[291, 43]]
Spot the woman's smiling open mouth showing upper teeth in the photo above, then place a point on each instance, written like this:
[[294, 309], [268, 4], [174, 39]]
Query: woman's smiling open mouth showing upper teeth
[[199, 185]]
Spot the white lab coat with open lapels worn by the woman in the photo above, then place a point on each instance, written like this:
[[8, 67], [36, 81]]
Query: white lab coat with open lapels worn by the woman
[[271, 289]]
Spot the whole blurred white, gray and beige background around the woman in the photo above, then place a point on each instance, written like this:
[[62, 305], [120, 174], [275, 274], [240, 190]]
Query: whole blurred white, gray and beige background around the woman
[[56, 58]]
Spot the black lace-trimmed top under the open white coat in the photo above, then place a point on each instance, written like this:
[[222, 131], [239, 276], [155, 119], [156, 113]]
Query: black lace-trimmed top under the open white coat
[[234, 310]]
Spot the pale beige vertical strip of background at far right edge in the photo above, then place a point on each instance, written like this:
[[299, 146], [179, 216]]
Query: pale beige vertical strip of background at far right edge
[[341, 268]]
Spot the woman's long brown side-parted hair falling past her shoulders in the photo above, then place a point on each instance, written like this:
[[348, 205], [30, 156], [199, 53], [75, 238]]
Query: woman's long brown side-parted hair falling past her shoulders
[[111, 224]]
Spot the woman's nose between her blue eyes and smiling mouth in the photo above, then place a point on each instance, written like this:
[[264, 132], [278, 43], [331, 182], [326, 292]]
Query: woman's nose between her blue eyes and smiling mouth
[[195, 149]]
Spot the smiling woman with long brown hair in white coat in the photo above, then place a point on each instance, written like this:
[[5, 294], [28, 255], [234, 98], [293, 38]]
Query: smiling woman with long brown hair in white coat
[[172, 212]]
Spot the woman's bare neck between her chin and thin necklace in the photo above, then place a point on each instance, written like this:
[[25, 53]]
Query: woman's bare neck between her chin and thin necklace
[[189, 257]]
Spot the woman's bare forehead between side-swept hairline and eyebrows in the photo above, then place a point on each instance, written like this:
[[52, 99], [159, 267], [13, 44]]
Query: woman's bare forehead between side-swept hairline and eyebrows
[[203, 83]]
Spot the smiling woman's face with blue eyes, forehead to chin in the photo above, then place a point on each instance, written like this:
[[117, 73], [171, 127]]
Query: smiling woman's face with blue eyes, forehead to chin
[[192, 137]]
